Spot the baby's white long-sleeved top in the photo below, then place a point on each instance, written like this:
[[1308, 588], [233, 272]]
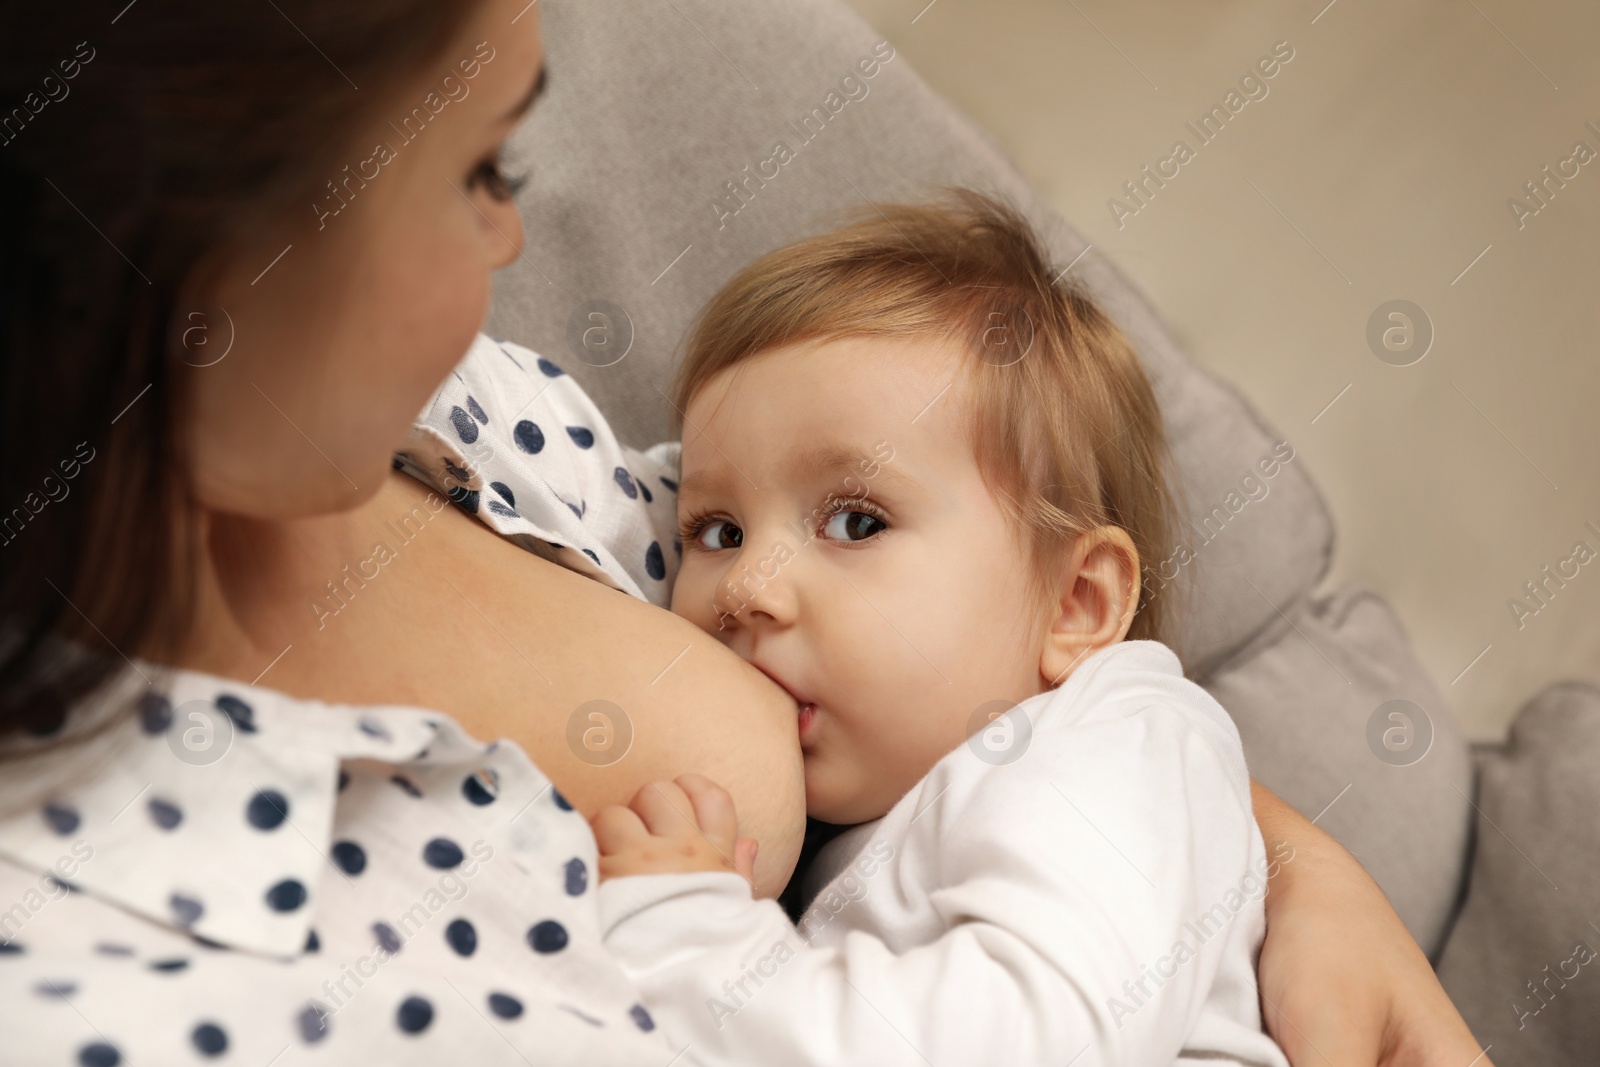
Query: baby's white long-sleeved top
[[1081, 884]]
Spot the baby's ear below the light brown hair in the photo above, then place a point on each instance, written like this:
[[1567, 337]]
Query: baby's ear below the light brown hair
[[1095, 599]]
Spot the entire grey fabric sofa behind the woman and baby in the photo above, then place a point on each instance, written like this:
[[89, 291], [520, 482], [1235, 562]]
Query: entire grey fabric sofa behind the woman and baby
[[655, 174]]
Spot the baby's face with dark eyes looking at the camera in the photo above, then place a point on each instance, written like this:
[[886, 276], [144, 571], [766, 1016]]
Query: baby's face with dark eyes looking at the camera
[[839, 537]]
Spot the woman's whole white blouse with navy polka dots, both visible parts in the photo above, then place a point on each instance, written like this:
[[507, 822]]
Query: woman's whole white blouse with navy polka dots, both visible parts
[[234, 876]]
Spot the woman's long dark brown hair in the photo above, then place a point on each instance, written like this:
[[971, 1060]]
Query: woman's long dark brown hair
[[137, 142]]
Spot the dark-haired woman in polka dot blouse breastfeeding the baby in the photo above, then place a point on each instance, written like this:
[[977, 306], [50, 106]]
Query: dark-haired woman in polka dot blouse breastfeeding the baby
[[319, 190]]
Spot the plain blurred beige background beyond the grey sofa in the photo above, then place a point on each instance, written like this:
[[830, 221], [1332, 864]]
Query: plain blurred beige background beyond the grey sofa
[[1378, 167]]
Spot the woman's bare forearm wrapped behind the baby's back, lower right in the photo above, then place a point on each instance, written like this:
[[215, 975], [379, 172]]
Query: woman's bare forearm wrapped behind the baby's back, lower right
[[1343, 985]]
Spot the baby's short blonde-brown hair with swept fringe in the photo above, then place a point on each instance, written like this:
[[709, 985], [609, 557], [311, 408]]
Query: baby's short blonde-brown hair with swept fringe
[[1063, 420]]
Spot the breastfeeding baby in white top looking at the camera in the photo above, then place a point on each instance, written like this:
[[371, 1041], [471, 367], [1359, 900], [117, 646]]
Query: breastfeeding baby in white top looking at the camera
[[919, 478]]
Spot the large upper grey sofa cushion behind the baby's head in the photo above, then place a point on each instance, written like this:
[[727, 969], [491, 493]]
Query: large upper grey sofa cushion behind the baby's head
[[647, 193]]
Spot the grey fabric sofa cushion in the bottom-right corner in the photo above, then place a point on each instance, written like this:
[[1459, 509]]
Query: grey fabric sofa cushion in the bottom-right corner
[[1522, 961]]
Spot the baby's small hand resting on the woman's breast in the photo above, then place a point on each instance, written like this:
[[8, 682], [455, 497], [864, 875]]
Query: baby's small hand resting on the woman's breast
[[674, 828]]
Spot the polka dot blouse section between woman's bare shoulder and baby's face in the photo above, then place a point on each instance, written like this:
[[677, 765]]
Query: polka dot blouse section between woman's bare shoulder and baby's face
[[530, 457]]
